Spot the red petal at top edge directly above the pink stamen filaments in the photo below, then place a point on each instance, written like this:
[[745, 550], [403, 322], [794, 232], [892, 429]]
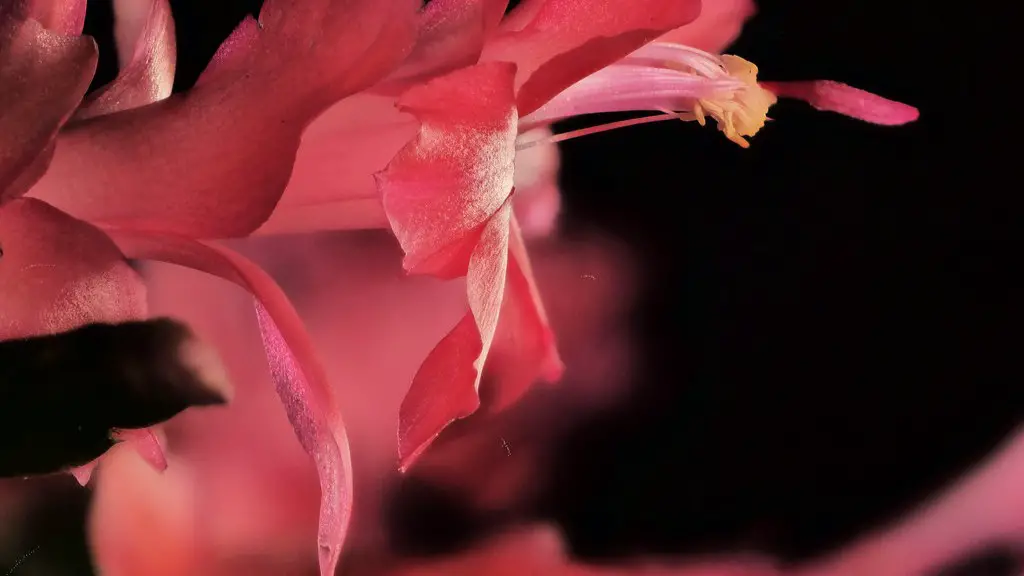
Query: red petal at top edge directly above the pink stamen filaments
[[560, 43]]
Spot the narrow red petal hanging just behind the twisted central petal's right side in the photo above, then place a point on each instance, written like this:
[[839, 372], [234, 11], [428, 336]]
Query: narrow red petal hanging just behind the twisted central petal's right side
[[525, 348]]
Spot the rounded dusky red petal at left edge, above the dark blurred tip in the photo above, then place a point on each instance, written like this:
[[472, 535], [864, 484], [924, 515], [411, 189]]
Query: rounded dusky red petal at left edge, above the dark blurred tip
[[58, 273]]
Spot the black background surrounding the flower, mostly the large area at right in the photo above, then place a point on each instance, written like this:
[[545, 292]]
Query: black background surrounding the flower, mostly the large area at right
[[831, 331]]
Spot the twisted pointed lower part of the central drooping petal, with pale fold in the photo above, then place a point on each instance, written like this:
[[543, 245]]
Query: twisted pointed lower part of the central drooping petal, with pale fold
[[446, 387]]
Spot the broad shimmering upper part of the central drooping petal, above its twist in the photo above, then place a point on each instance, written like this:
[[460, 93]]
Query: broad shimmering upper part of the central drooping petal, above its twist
[[442, 189]]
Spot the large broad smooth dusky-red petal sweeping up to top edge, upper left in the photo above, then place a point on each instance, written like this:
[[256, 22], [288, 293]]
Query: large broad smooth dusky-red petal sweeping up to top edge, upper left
[[215, 162]]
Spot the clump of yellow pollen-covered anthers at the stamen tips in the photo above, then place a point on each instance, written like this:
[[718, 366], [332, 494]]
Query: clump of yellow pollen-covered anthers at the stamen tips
[[740, 112]]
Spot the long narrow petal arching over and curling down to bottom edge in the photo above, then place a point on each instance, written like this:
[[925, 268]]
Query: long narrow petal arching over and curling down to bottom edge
[[301, 382]]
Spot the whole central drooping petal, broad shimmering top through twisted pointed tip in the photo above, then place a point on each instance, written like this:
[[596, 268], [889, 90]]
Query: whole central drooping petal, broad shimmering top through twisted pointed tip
[[447, 195]]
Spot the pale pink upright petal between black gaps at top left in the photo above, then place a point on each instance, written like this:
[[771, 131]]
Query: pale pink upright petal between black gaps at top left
[[147, 52]]
